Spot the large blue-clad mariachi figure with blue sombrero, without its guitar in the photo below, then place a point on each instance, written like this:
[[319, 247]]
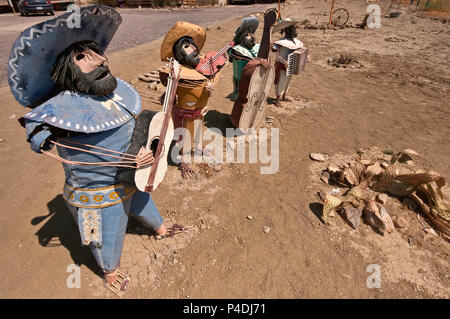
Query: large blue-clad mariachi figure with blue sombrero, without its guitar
[[60, 72]]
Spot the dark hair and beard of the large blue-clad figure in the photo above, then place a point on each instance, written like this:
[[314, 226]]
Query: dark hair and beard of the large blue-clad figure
[[69, 76]]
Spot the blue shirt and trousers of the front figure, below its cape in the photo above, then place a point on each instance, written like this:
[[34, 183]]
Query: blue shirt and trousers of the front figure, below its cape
[[98, 202]]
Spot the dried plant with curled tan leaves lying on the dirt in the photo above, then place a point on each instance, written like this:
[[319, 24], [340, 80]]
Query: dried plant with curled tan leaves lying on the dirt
[[397, 177]]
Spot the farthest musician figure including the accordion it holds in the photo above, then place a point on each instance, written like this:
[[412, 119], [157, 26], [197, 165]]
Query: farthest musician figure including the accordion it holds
[[291, 59]]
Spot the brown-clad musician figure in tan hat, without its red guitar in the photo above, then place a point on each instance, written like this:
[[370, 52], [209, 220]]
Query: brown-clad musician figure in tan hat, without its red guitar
[[184, 42]]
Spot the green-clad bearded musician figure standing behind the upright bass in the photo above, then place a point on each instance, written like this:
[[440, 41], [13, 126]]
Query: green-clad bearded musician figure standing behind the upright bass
[[244, 50]]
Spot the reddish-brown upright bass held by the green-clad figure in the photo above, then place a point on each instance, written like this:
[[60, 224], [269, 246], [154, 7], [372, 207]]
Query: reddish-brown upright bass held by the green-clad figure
[[256, 80]]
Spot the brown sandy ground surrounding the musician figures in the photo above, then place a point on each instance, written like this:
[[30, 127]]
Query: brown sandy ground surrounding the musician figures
[[397, 100]]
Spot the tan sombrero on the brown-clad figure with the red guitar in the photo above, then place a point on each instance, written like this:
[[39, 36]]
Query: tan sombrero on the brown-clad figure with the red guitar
[[179, 30]]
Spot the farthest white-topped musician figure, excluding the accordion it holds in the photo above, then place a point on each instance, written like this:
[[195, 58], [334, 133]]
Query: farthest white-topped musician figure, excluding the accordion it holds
[[285, 46]]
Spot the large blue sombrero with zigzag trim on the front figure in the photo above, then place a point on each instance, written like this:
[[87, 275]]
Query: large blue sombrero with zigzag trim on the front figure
[[36, 49]]
